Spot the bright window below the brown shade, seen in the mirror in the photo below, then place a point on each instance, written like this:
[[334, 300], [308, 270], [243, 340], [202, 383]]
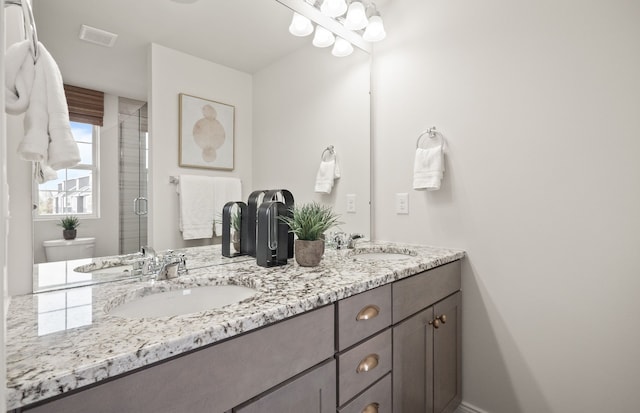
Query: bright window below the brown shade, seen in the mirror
[[75, 189]]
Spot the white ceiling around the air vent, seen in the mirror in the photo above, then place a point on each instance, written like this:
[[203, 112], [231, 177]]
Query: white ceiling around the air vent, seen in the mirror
[[243, 34]]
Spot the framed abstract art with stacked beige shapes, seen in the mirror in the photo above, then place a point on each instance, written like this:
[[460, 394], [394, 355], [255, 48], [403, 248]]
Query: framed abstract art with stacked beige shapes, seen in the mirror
[[206, 133]]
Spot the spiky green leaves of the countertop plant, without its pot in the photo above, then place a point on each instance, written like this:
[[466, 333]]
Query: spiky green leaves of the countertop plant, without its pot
[[310, 221]]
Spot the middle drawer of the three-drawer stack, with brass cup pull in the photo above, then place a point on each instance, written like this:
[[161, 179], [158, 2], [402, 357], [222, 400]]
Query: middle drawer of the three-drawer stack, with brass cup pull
[[361, 366]]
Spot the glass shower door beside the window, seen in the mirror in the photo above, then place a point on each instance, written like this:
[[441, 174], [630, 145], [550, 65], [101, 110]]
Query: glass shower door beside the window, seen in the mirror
[[134, 203]]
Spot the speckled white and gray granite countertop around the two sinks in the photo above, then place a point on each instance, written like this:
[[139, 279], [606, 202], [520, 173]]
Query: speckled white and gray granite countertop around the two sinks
[[62, 340]]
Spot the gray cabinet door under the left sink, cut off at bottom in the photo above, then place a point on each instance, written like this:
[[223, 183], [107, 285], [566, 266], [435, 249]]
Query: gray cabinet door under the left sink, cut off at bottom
[[311, 392]]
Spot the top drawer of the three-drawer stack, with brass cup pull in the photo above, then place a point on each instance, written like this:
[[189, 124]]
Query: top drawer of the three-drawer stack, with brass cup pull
[[363, 315]]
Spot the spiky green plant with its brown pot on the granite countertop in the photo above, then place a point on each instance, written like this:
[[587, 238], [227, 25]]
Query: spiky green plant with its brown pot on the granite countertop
[[309, 223]]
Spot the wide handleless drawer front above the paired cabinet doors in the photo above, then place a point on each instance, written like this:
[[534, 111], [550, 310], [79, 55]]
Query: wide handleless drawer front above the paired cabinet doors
[[422, 290]]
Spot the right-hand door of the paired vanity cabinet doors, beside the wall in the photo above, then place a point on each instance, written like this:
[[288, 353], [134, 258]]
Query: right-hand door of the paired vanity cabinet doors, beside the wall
[[446, 356]]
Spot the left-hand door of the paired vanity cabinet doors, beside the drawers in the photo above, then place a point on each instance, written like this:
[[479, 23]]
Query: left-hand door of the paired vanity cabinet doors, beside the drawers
[[412, 361]]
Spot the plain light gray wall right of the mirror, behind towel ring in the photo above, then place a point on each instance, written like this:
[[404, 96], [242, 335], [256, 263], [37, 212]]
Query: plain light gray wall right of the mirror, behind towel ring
[[539, 103]]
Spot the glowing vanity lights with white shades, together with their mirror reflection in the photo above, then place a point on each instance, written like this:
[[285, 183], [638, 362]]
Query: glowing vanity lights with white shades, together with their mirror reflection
[[358, 24]]
